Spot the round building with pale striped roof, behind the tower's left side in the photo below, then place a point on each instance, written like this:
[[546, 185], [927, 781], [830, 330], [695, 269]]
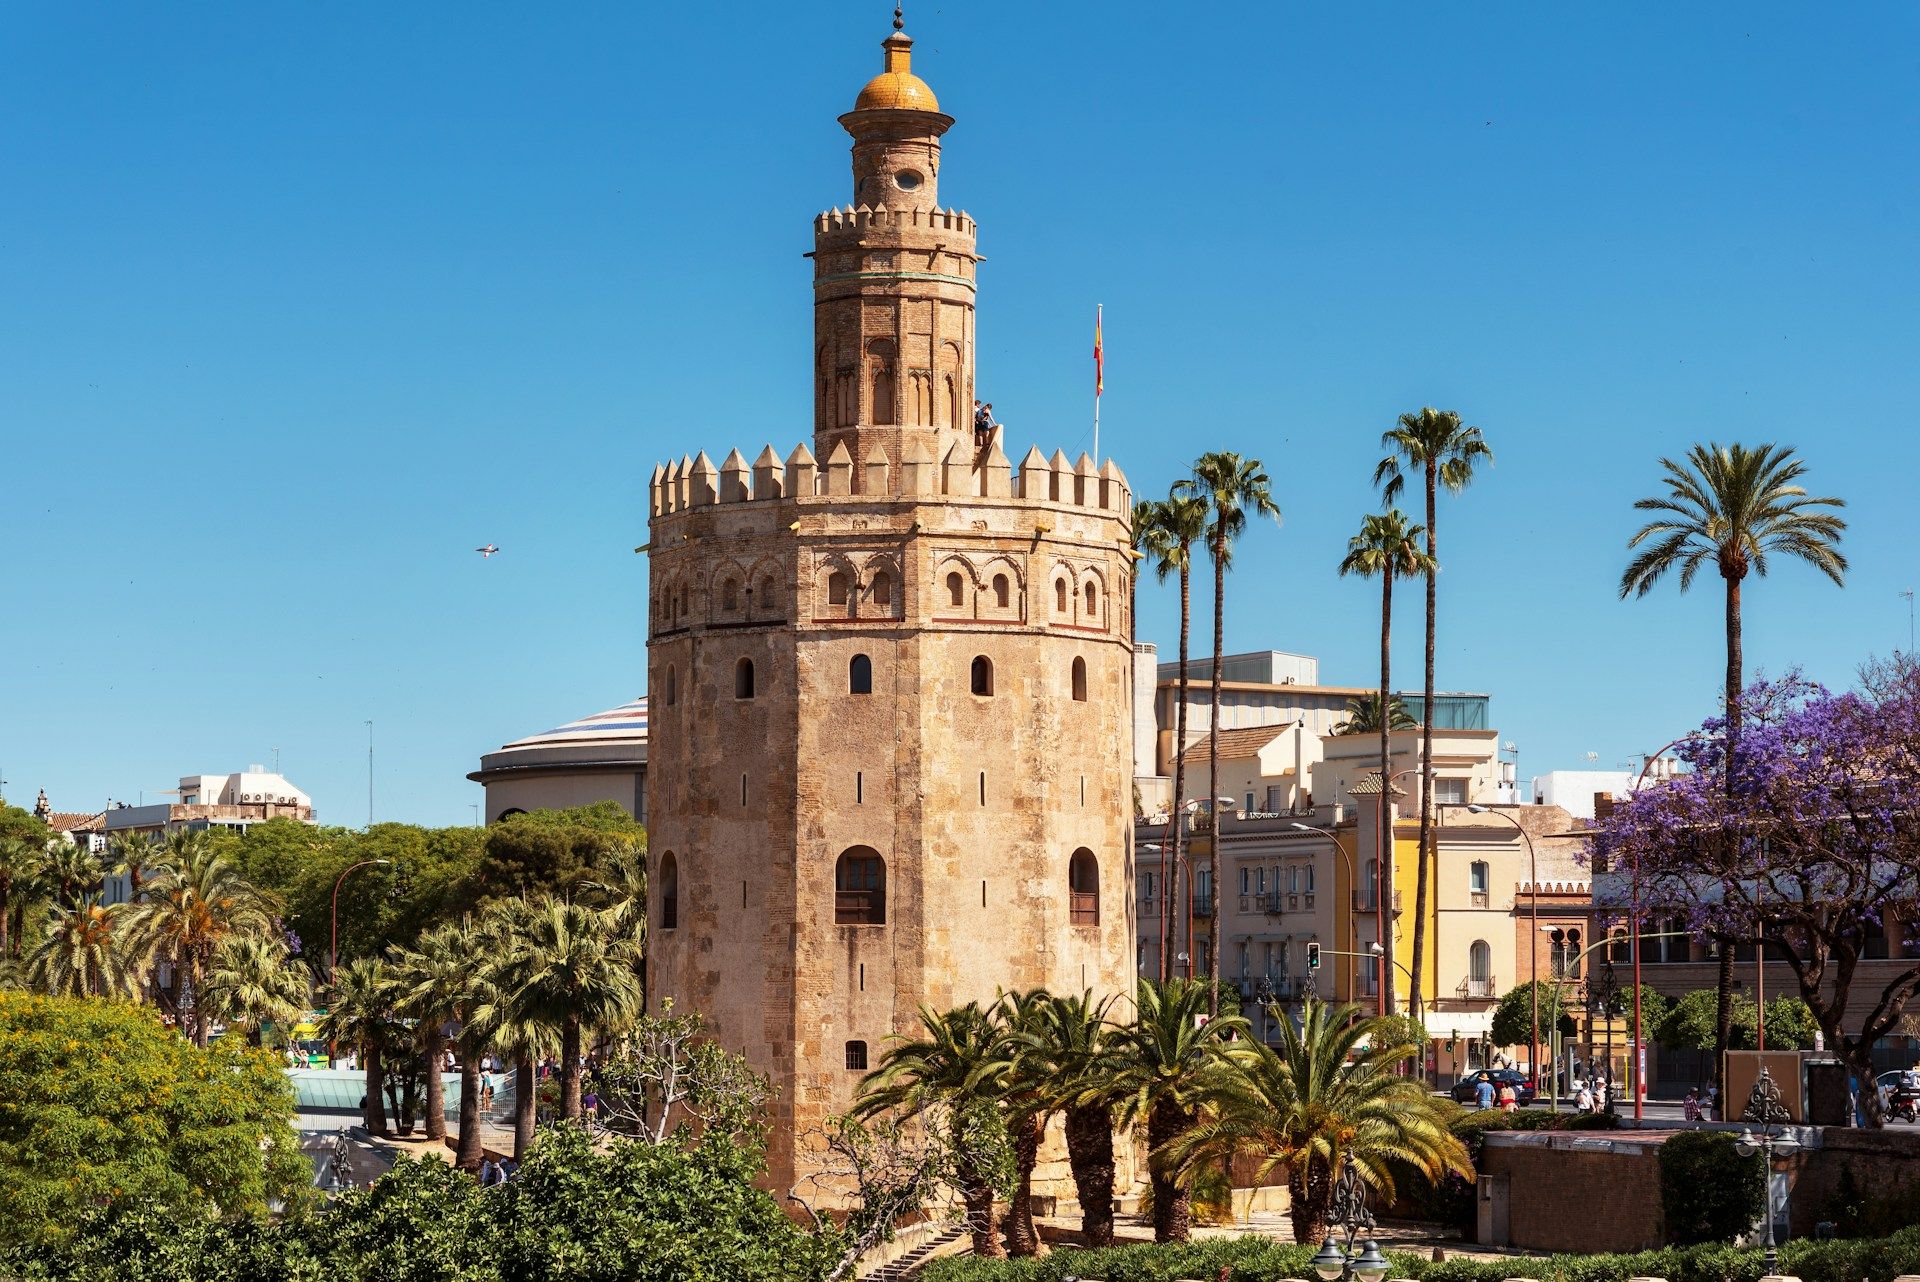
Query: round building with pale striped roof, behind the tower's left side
[[596, 759]]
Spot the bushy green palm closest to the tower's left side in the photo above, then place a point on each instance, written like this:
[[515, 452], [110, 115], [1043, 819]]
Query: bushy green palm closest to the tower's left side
[[569, 974]]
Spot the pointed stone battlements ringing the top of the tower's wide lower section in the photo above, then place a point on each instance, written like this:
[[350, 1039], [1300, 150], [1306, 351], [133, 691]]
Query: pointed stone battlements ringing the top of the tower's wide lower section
[[917, 475]]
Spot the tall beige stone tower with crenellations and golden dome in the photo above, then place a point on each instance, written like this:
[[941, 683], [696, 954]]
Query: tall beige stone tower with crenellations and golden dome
[[890, 677]]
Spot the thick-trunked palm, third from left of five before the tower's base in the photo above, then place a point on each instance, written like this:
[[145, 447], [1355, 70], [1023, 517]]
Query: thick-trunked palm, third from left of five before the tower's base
[[1070, 1047]]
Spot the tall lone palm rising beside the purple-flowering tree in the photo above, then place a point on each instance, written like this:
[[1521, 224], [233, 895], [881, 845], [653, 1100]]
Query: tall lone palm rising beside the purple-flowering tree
[[1731, 508]]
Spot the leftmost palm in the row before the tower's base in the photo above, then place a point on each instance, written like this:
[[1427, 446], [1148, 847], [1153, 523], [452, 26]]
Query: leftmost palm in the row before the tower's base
[[940, 1074]]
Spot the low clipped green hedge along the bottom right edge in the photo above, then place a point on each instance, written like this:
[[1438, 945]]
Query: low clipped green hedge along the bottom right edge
[[1264, 1260]]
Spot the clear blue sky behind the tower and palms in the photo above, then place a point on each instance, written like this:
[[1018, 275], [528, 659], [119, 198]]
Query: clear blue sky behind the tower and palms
[[299, 304]]
